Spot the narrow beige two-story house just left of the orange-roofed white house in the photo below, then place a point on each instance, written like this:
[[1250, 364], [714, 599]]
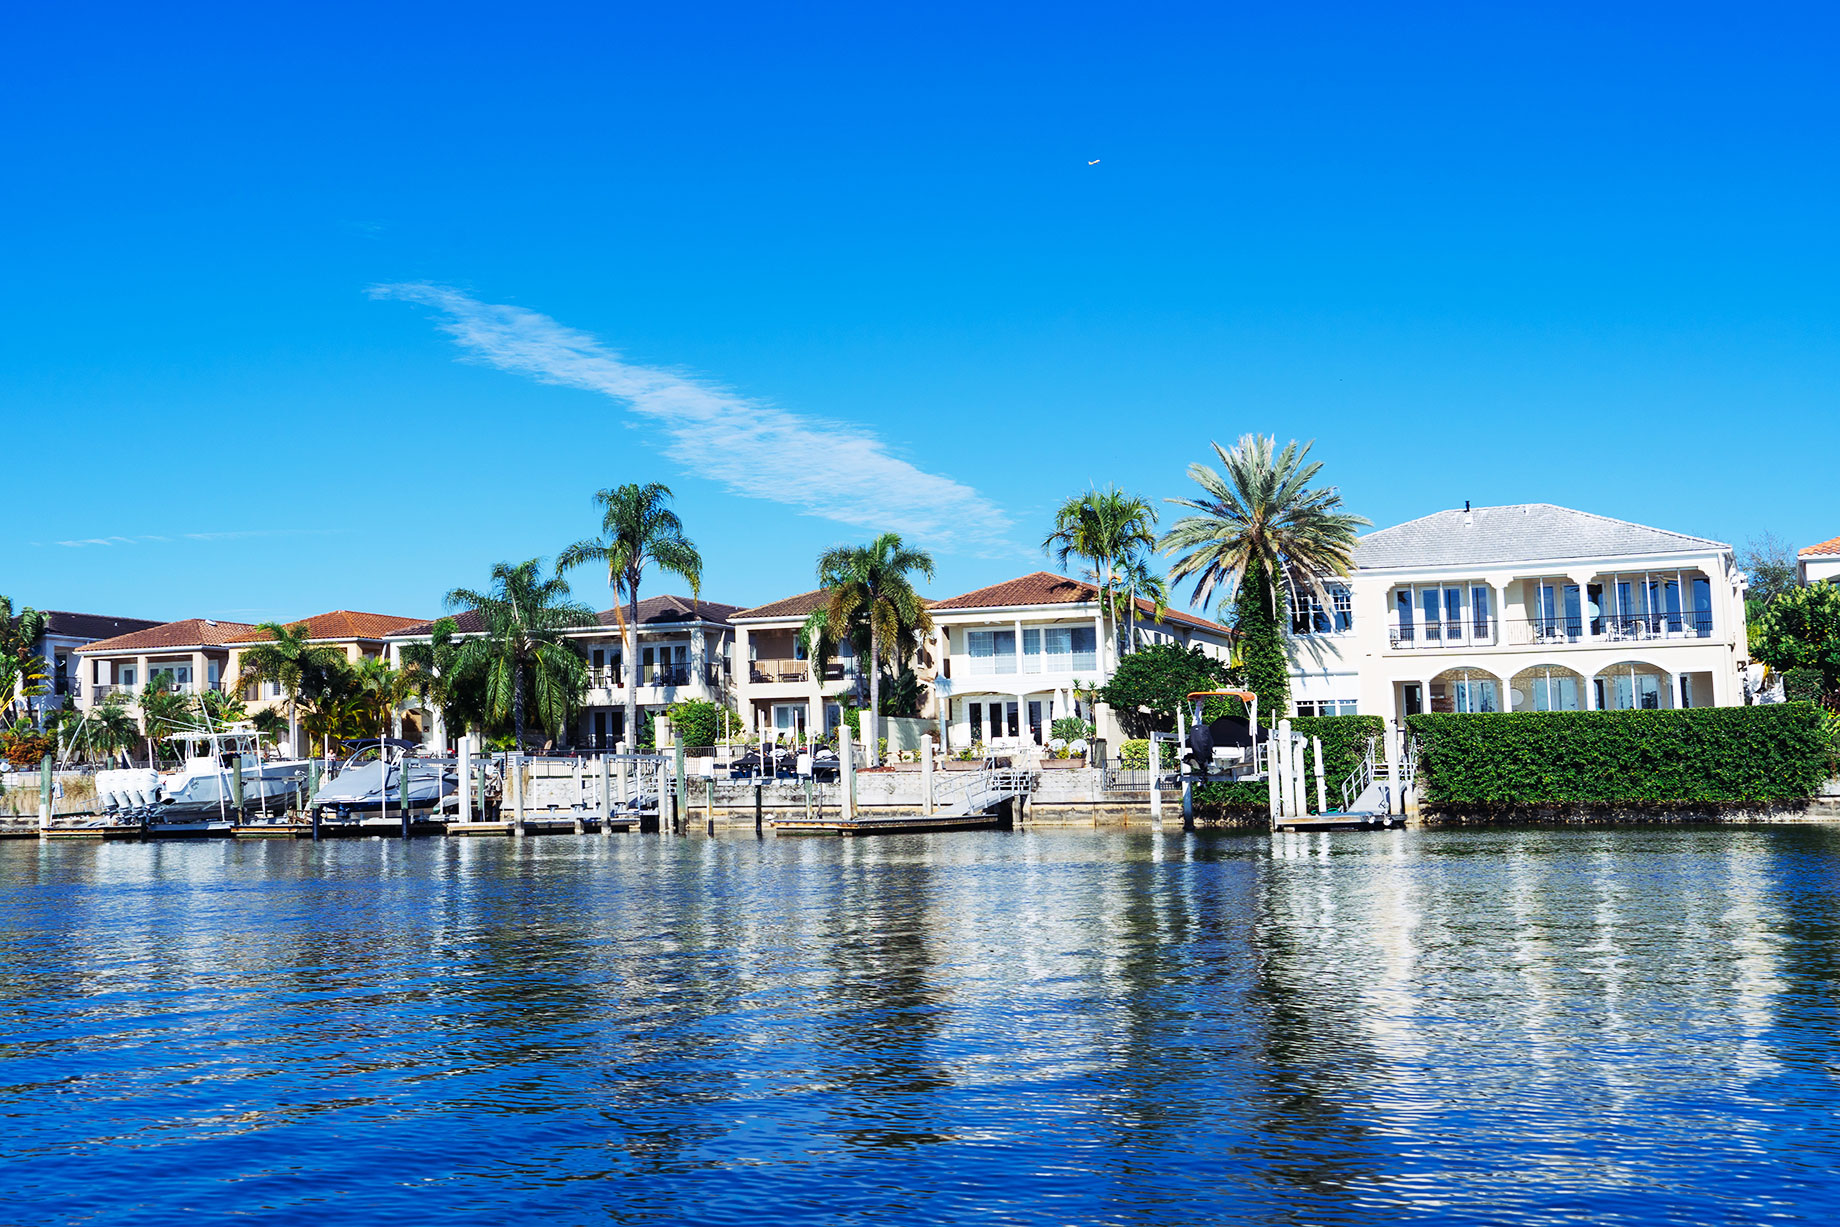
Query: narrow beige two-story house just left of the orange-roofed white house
[[779, 691]]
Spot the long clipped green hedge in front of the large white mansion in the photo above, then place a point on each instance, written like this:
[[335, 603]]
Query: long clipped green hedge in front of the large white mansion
[[1569, 761]]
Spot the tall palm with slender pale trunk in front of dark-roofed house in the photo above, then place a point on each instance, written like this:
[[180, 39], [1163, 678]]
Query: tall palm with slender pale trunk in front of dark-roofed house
[[638, 529]]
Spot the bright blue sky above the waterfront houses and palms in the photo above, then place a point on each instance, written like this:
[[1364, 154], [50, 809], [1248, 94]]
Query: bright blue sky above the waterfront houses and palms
[[330, 306]]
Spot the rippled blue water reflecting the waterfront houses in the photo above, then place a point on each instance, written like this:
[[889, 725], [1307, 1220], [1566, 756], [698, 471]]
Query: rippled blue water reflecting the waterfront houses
[[1018, 1029]]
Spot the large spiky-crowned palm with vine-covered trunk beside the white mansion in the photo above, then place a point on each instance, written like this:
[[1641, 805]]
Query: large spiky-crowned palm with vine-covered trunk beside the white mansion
[[1259, 536]]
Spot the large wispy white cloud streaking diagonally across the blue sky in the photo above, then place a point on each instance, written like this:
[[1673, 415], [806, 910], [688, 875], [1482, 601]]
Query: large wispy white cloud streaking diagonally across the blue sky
[[831, 470]]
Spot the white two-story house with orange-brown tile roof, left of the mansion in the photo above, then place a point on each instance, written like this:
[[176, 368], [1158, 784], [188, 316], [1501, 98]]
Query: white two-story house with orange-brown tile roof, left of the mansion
[[1018, 656]]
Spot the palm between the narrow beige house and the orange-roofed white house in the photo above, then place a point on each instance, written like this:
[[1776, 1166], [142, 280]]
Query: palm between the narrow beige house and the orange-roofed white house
[[875, 584]]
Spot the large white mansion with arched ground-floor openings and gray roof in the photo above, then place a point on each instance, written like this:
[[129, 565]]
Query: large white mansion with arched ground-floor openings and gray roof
[[1526, 608]]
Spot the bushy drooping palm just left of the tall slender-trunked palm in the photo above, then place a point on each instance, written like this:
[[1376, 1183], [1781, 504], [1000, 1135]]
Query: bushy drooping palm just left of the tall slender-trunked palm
[[525, 645]]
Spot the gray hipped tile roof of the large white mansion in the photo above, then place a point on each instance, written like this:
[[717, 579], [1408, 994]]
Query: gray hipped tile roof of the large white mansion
[[1515, 534]]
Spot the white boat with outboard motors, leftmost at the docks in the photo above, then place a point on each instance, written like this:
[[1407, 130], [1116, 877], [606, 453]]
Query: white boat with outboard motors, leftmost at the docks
[[222, 781]]
